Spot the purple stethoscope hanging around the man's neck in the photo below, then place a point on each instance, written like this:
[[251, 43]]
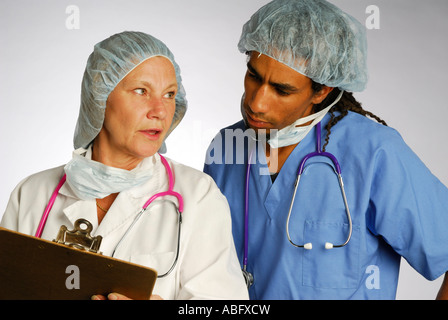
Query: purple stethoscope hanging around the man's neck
[[328, 245]]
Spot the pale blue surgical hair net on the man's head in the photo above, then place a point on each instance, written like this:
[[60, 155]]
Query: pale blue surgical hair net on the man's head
[[313, 37]]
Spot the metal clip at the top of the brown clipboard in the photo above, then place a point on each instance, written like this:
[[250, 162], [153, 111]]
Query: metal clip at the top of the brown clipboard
[[80, 237]]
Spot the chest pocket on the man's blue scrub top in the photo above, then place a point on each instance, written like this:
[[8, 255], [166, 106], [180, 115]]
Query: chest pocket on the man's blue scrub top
[[331, 268]]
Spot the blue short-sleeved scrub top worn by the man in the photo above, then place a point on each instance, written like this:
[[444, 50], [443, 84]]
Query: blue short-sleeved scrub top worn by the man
[[398, 209]]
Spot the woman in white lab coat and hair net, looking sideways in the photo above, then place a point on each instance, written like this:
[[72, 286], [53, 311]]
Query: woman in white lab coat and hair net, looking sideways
[[132, 98]]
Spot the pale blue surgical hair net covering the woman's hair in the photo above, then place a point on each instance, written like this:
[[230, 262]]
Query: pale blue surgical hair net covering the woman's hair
[[111, 60]]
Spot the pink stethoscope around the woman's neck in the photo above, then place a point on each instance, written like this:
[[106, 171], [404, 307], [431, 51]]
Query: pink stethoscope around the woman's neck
[[170, 192]]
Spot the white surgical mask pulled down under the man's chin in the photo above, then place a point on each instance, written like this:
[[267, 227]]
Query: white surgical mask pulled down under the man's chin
[[295, 133]]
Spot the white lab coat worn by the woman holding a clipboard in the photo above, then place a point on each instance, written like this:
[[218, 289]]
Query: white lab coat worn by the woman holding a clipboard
[[207, 267]]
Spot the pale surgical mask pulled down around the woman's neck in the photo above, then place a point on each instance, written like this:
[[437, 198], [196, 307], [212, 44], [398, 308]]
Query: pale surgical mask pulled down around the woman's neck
[[90, 179]]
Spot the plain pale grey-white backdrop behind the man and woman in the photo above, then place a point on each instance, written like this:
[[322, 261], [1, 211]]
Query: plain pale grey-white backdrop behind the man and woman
[[42, 63]]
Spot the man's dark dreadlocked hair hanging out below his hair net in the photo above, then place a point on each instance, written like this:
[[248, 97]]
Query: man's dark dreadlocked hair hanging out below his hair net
[[345, 104]]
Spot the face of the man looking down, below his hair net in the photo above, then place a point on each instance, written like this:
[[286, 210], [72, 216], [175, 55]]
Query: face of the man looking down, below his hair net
[[276, 95]]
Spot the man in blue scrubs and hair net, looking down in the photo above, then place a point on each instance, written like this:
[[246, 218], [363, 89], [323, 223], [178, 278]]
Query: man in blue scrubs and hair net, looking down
[[305, 58]]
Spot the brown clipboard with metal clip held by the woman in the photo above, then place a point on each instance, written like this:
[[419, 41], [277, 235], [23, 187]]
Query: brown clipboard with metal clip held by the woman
[[37, 269]]
